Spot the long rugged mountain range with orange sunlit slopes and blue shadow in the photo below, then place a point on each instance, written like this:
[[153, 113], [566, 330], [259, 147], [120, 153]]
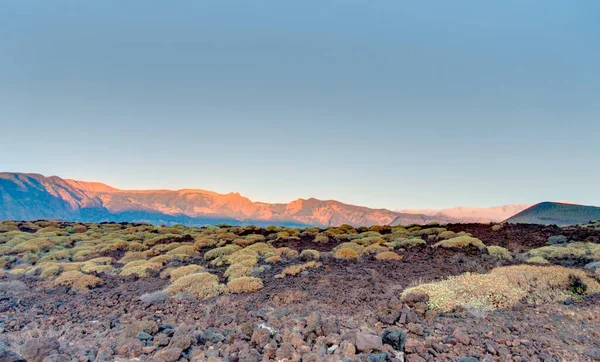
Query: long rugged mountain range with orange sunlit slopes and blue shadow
[[33, 196]]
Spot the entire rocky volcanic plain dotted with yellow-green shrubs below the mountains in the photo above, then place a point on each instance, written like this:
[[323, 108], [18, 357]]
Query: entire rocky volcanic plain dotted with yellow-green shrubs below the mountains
[[457, 292]]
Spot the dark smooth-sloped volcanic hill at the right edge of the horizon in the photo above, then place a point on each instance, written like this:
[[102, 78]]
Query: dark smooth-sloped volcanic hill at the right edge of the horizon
[[549, 213]]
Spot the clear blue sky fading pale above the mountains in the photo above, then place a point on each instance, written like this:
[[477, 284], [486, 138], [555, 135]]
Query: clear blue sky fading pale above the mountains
[[393, 104]]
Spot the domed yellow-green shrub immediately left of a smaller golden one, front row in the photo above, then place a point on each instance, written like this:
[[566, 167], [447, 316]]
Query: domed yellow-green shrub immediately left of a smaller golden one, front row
[[200, 285]]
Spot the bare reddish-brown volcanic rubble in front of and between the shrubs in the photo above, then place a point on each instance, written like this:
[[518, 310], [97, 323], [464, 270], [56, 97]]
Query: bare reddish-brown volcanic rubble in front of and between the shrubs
[[345, 310]]
